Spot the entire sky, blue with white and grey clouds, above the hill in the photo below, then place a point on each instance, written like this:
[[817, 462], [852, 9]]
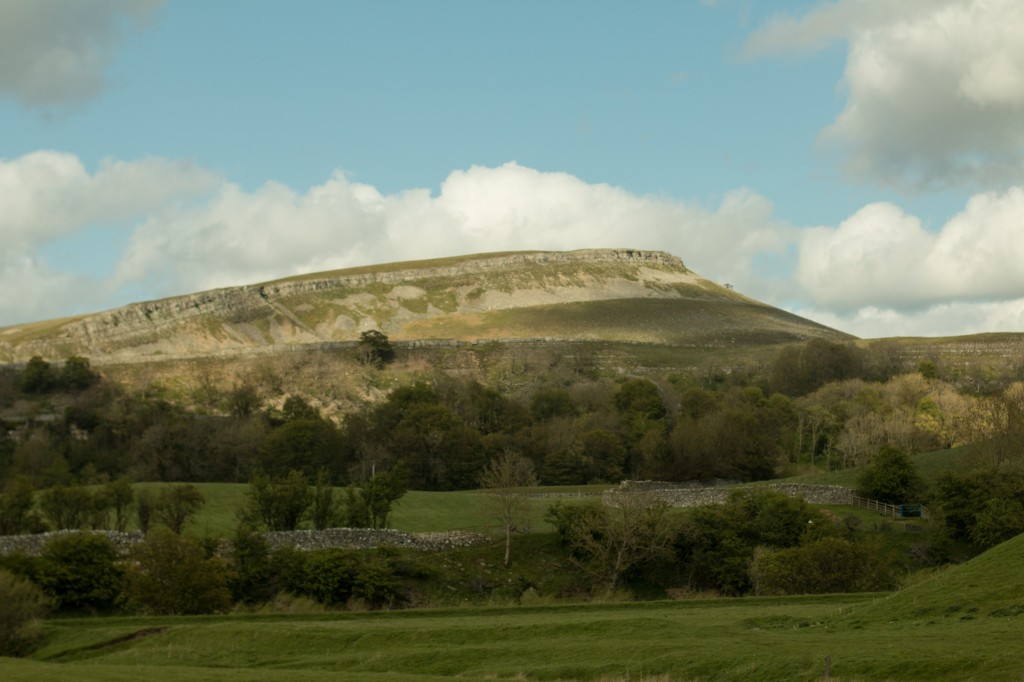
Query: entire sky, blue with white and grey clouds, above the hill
[[859, 162]]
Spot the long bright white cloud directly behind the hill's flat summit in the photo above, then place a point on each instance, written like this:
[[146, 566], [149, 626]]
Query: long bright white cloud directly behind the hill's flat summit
[[240, 237]]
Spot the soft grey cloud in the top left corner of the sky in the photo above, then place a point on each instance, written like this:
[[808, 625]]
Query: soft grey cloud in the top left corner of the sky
[[55, 54]]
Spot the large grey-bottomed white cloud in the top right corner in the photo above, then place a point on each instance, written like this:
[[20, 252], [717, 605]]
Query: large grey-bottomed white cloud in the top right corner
[[935, 90]]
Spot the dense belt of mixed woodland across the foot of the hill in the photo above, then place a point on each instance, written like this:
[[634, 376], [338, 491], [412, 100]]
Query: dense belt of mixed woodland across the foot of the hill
[[812, 407]]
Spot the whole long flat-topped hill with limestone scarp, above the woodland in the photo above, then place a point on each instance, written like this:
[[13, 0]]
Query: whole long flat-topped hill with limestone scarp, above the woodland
[[618, 295]]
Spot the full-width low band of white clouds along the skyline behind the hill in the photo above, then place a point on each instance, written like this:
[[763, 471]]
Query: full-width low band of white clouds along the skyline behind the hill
[[879, 273]]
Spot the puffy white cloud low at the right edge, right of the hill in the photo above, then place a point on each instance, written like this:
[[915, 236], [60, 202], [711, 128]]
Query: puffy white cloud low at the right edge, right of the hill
[[883, 258]]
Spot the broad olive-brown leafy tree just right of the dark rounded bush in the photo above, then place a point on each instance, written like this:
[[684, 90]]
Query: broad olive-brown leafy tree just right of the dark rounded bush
[[172, 575]]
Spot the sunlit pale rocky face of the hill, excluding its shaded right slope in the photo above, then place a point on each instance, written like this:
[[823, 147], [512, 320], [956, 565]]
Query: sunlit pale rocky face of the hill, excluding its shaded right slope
[[411, 303]]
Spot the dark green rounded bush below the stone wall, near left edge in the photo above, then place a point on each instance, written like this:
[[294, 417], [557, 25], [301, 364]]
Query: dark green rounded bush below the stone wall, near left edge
[[80, 572]]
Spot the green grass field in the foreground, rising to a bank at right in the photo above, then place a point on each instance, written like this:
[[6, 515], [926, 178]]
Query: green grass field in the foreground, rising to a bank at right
[[964, 624]]
